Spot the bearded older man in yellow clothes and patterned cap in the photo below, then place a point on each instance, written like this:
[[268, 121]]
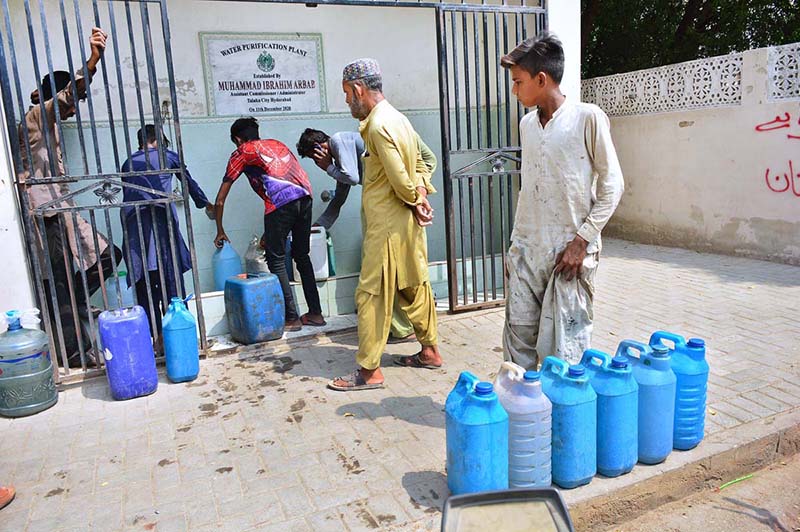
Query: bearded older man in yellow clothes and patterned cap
[[394, 258]]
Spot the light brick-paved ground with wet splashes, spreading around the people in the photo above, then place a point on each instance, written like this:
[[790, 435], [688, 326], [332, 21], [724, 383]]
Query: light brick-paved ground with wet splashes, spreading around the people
[[258, 443]]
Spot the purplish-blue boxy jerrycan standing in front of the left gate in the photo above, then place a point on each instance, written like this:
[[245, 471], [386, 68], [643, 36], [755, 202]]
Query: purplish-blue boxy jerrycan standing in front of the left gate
[[128, 352]]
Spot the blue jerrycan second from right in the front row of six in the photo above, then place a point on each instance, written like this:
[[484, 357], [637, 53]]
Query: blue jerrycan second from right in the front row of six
[[651, 369]]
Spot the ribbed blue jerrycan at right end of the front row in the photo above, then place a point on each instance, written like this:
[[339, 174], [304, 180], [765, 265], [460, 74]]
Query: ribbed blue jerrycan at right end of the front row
[[688, 362]]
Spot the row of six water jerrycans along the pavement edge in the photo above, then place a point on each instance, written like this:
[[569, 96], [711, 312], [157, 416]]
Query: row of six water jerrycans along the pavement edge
[[566, 423]]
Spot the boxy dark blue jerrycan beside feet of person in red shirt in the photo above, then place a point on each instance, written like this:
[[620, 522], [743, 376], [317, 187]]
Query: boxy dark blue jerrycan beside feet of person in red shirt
[[254, 307]]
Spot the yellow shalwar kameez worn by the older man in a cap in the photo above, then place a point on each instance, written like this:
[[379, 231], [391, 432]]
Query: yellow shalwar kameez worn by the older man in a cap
[[394, 252]]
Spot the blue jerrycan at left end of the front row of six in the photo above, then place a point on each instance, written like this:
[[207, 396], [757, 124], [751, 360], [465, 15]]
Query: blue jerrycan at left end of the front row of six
[[477, 438]]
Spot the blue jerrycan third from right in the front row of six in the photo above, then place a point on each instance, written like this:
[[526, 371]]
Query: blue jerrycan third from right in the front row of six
[[617, 412]]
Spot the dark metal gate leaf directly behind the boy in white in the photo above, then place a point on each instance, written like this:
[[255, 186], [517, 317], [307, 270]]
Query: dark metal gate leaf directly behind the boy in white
[[480, 143]]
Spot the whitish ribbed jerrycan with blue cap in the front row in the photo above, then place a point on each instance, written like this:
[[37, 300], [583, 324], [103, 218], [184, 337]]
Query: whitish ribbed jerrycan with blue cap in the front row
[[529, 427]]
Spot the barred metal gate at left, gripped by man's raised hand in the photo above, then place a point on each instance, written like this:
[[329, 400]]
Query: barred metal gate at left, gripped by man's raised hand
[[70, 212]]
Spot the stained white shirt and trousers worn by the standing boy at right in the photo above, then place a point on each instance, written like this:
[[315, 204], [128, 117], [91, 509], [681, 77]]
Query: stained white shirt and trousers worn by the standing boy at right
[[571, 184]]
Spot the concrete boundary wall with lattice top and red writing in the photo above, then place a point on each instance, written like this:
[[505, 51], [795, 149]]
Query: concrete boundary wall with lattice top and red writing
[[710, 150]]
